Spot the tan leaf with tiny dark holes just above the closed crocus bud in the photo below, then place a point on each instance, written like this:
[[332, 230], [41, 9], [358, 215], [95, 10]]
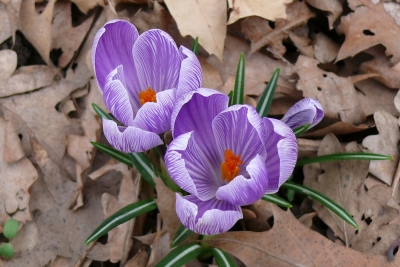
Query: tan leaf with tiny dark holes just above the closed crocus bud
[[337, 95]]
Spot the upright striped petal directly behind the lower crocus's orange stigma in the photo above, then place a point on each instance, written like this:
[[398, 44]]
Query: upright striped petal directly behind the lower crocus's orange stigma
[[239, 129]]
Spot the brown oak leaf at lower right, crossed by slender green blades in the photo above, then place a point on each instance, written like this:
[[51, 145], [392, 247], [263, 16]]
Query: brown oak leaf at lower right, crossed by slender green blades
[[343, 182]]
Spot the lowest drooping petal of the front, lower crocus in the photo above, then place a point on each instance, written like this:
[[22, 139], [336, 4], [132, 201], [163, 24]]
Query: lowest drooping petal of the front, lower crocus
[[209, 217]]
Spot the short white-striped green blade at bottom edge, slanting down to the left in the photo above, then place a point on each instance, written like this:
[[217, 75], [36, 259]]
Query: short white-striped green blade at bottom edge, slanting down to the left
[[180, 256]]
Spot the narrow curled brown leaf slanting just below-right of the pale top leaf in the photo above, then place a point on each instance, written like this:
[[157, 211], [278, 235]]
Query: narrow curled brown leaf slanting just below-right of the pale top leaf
[[298, 13]]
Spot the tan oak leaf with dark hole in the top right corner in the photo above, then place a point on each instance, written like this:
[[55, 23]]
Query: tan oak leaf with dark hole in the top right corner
[[362, 32]]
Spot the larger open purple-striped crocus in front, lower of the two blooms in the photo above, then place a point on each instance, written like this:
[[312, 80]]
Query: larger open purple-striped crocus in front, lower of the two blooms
[[225, 157]]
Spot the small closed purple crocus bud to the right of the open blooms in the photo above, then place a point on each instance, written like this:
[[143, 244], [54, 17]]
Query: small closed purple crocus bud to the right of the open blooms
[[306, 111]]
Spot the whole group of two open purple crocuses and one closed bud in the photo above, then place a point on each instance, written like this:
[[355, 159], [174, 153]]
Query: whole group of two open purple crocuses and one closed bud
[[224, 157]]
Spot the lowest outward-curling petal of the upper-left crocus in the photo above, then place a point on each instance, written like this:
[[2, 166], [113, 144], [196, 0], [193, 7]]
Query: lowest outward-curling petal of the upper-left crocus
[[129, 139]]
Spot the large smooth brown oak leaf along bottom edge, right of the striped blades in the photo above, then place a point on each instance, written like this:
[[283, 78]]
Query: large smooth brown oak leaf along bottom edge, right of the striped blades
[[290, 243]]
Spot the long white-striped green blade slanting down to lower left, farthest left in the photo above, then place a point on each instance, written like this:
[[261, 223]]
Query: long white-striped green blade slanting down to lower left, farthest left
[[123, 215]]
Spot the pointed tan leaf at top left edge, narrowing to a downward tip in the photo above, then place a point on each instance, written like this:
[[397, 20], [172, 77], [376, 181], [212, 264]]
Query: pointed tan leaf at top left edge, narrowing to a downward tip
[[37, 28]]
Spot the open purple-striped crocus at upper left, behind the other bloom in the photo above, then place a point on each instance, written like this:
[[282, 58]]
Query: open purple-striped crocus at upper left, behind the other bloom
[[140, 77]]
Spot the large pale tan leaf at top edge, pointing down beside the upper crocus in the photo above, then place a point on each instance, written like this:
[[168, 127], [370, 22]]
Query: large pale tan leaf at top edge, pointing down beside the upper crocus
[[206, 20]]
